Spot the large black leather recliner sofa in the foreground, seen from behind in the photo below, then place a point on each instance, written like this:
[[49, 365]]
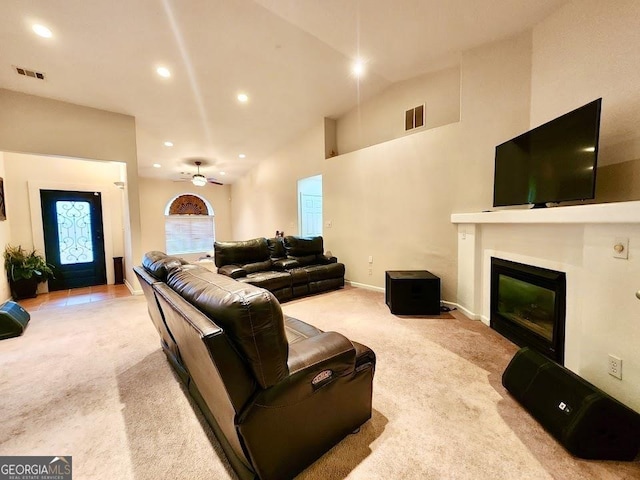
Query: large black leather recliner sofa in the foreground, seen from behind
[[277, 392]]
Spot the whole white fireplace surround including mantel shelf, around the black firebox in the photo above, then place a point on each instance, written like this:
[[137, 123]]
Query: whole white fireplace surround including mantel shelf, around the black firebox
[[602, 308]]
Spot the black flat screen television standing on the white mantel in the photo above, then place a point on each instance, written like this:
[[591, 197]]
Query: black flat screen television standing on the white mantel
[[555, 162]]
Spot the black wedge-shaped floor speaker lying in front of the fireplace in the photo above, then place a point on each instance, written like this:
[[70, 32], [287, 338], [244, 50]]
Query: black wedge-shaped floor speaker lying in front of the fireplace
[[585, 420]]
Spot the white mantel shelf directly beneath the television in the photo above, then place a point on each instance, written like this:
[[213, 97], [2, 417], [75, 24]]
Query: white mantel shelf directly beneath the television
[[618, 212]]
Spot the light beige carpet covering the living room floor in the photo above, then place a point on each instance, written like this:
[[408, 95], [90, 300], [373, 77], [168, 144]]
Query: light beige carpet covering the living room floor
[[91, 381]]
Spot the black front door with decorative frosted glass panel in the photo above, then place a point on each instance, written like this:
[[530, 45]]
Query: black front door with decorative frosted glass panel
[[73, 238]]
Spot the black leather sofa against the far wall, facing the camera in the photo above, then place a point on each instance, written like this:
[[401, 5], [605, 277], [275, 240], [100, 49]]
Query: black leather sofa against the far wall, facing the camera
[[288, 267]]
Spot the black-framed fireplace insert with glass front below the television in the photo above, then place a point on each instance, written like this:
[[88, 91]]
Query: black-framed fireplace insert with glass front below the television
[[528, 306]]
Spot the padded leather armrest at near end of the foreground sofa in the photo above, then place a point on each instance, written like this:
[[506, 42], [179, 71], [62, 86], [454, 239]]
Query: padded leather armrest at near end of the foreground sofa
[[313, 363]]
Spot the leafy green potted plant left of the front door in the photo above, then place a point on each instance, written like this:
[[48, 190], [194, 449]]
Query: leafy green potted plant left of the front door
[[25, 270]]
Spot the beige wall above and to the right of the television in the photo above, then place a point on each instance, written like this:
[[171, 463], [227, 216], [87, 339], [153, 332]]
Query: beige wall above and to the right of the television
[[586, 50]]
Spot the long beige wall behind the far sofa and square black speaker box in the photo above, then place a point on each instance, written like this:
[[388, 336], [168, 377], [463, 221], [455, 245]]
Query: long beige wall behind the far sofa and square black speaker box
[[392, 200]]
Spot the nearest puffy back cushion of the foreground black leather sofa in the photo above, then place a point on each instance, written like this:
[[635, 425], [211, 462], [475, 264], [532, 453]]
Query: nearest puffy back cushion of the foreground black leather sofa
[[250, 316]]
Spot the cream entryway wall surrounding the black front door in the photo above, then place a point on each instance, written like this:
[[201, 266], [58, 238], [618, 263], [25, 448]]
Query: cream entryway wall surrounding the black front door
[[26, 175]]
